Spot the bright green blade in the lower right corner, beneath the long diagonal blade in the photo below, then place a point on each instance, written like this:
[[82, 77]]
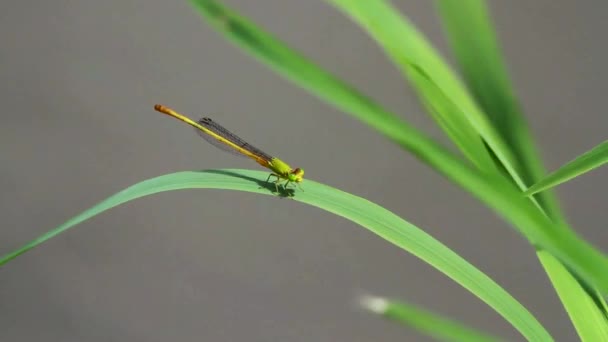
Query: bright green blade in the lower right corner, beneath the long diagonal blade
[[587, 317]]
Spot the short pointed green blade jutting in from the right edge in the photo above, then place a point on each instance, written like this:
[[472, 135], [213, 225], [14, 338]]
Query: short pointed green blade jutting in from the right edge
[[586, 162]]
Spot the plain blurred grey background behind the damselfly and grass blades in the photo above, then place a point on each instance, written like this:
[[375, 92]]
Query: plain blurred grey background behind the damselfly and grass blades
[[78, 80]]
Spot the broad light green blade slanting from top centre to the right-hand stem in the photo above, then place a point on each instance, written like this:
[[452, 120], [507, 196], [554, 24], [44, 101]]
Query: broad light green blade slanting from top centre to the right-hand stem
[[427, 71]]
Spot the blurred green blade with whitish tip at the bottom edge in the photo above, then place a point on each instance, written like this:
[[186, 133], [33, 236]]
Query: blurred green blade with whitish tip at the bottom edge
[[429, 323]]
